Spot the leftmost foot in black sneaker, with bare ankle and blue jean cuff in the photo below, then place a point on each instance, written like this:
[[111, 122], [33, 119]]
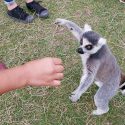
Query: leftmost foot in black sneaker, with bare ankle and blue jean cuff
[[17, 13]]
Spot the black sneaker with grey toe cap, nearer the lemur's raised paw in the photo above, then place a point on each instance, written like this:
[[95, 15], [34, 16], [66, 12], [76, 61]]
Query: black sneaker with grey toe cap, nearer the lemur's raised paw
[[34, 6]]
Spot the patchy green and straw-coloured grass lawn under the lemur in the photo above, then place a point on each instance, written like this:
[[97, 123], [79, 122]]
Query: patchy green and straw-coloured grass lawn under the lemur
[[20, 43]]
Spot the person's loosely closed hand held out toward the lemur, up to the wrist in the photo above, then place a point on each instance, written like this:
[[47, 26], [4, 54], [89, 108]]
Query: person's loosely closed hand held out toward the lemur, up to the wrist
[[44, 72]]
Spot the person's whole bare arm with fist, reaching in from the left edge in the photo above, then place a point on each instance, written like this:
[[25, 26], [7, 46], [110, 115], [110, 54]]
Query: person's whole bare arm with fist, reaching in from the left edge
[[42, 72]]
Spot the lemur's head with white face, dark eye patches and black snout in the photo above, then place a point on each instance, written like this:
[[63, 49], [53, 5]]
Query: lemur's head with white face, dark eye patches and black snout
[[90, 43]]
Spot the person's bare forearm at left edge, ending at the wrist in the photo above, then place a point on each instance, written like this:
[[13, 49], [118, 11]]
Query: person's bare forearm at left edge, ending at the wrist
[[11, 79]]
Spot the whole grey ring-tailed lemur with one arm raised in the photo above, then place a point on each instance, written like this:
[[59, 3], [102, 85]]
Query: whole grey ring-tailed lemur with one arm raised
[[99, 65]]
